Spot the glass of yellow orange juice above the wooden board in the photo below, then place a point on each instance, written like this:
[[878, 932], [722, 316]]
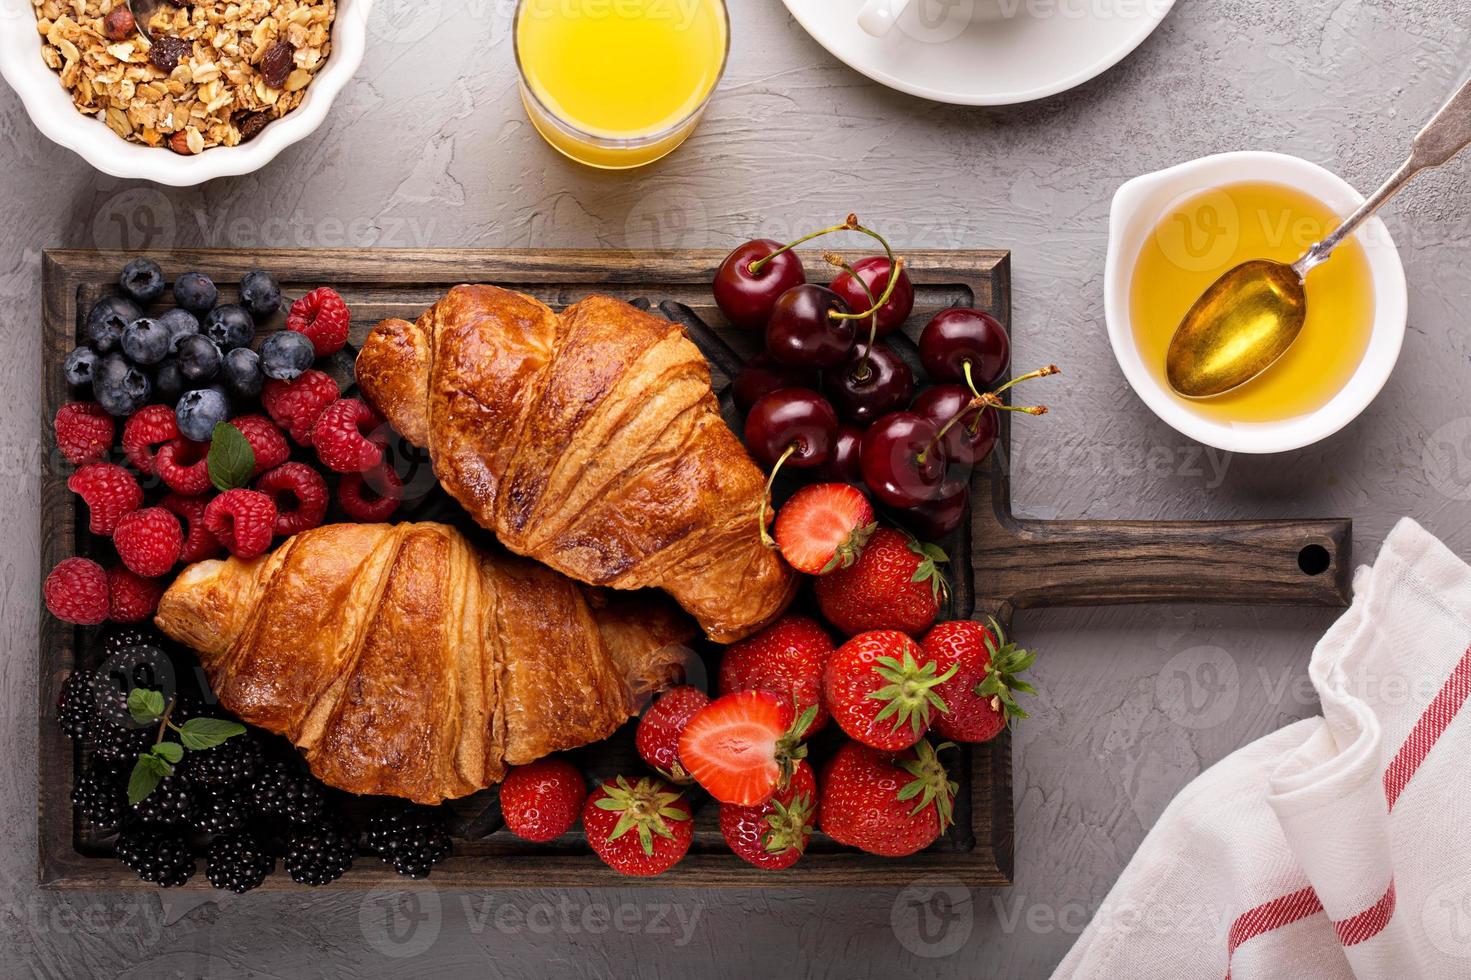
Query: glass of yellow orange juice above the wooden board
[[620, 83]]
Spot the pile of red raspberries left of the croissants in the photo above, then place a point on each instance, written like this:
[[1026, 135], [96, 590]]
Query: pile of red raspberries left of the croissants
[[155, 498]]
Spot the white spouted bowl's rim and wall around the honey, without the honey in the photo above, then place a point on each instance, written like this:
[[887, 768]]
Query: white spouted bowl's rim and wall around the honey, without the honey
[[1139, 208]]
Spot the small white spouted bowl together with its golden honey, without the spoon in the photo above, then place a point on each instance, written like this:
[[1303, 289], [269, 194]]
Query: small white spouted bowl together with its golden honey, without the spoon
[[1176, 232]]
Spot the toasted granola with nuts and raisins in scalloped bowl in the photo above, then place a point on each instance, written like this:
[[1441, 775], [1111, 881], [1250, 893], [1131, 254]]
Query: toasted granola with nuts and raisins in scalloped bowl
[[216, 74]]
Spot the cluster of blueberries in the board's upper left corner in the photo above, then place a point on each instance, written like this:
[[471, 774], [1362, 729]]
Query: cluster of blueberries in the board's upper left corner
[[196, 357]]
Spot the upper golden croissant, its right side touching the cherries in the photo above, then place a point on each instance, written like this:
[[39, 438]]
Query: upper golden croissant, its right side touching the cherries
[[588, 441]]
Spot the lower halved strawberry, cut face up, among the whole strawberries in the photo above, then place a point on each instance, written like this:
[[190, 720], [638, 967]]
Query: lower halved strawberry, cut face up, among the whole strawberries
[[744, 747]]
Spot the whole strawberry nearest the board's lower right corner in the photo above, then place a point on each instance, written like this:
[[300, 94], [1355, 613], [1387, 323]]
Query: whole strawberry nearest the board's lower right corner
[[885, 803]]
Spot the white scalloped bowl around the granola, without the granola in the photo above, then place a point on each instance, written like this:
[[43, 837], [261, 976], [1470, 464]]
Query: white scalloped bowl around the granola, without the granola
[[52, 111]]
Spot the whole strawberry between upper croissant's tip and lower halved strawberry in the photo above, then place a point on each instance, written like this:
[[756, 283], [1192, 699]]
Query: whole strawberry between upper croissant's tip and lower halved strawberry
[[786, 660]]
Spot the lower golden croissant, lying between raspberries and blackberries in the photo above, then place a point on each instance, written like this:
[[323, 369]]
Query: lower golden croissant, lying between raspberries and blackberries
[[404, 661]]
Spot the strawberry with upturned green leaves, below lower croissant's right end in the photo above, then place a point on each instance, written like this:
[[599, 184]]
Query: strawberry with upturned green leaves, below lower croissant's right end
[[639, 828]]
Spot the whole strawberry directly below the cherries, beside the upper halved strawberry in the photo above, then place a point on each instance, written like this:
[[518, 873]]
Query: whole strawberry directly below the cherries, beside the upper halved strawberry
[[895, 585]]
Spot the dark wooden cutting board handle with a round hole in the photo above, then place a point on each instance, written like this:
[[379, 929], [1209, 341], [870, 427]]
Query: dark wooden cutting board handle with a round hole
[[1029, 564]]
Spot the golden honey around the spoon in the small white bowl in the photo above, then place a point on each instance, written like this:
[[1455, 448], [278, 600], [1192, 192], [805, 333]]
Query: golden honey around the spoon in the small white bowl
[[1210, 233]]
